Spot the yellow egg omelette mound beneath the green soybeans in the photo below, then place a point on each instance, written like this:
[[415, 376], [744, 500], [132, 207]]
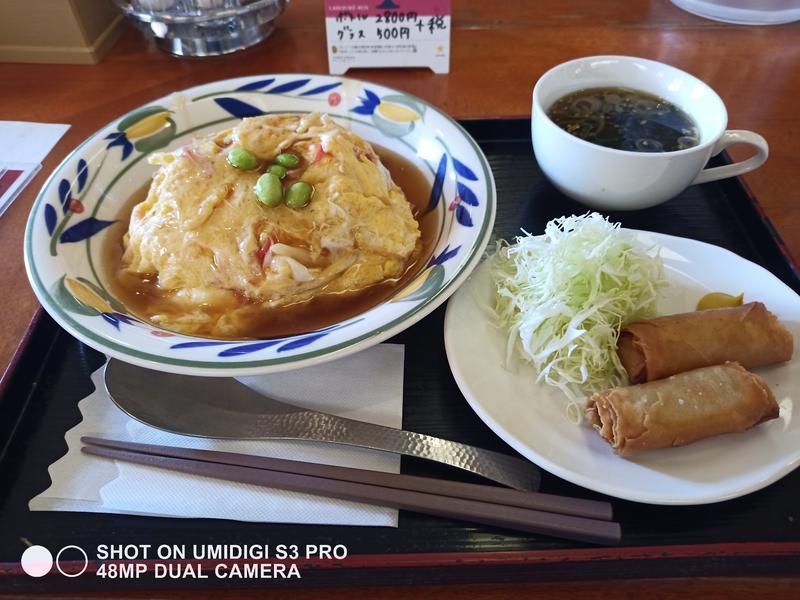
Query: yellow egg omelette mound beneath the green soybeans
[[217, 252]]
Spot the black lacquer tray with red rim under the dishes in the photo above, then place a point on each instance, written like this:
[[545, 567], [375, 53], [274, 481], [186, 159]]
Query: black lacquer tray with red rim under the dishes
[[757, 535]]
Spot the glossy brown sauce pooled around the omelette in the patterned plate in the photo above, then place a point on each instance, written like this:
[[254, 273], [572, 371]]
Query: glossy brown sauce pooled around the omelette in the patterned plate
[[143, 296]]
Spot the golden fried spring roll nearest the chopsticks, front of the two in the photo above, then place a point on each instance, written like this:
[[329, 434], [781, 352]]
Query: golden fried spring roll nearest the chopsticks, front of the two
[[682, 408]]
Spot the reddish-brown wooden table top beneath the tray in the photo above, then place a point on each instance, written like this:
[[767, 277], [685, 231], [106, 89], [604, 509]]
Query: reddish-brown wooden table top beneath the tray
[[499, 49]]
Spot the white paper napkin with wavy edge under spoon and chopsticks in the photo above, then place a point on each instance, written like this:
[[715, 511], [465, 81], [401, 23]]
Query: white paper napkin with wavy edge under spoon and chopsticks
[[367, 386]]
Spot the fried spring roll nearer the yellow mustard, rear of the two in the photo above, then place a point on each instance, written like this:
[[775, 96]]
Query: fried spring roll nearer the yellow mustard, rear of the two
[[747, 334]]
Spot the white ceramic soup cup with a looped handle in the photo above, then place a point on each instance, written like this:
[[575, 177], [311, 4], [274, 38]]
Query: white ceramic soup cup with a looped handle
[[607, 178]]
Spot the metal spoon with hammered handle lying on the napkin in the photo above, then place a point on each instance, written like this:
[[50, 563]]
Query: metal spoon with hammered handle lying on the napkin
[[226, 409]]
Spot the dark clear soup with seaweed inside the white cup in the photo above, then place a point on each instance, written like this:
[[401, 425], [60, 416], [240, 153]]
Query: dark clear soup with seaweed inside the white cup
[[625, 119]]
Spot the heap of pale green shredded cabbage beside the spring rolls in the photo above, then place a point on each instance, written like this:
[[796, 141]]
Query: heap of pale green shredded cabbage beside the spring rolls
[[563, 297]]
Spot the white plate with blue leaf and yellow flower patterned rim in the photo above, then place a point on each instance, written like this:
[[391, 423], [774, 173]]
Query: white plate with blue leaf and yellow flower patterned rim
[[85, 194]]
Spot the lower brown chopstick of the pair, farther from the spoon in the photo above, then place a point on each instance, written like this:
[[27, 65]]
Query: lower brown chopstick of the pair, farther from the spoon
[[488, 513]]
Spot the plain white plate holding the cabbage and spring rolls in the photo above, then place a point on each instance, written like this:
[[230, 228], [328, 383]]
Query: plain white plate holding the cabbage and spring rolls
[[532, 419]]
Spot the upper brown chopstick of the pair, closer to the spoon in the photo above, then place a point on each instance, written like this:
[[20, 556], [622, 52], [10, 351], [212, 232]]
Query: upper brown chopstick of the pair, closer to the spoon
[[564, 505]]
